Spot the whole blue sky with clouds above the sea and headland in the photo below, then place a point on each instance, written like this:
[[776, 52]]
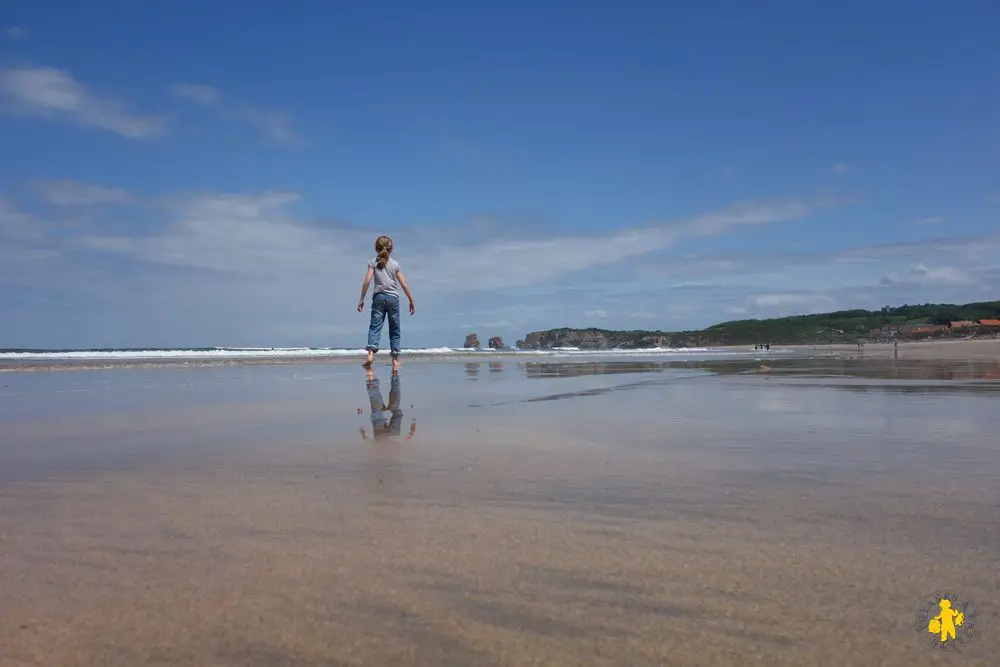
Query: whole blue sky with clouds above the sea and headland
[[193, 173]]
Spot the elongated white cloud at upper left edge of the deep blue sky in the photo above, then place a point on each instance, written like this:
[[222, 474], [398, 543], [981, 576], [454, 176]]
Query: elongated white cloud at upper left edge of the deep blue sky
[[51, 93]]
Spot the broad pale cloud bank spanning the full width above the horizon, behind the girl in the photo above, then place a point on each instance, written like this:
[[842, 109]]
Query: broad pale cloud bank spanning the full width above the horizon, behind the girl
[[241, 268]]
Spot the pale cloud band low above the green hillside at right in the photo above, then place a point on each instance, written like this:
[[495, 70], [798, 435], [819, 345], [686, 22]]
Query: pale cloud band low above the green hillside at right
[[955, 270]]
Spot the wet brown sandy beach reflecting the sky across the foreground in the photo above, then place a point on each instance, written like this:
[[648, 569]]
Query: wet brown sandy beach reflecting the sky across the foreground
[[639, 512]]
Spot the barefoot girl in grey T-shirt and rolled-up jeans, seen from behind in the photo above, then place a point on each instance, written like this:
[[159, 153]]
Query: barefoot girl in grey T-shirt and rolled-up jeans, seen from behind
[[388, 276]]
